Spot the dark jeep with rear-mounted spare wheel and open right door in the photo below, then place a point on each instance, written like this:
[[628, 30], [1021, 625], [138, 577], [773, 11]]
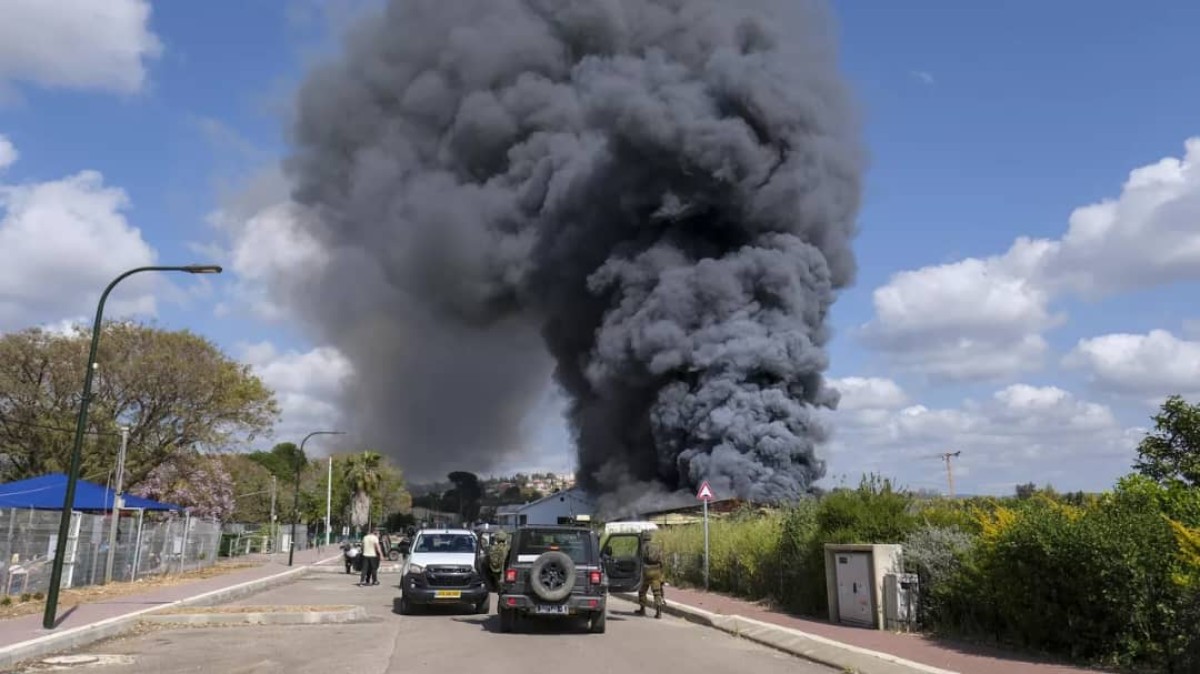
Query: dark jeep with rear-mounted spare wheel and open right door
[[560, 573]]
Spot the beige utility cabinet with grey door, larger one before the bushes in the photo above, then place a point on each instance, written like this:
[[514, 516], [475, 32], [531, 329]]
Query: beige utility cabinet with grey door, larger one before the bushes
[[855, 582]]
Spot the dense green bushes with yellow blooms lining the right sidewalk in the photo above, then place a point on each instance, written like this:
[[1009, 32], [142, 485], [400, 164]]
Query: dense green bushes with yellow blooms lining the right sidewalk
[[1113, 580]]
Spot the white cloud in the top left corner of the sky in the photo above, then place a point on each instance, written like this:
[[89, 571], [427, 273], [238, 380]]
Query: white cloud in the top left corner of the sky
[[101, 45]]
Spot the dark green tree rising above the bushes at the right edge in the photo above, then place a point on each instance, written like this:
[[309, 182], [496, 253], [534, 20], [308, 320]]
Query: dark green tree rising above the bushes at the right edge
[[1172, 453]]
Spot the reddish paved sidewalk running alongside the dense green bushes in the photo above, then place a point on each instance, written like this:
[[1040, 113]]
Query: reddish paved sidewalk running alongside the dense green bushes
[[968, 659]]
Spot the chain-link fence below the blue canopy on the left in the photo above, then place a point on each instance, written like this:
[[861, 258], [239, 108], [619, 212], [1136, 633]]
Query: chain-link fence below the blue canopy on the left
[[146, 546]]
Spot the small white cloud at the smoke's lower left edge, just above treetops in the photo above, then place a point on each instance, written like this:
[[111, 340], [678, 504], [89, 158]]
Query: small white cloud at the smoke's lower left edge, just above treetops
[[308, 386]]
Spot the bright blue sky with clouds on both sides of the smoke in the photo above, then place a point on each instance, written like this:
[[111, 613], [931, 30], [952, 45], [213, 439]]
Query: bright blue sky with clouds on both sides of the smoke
[[985, 123]]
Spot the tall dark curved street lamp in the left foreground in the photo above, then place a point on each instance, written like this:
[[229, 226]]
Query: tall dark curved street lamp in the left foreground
[[61, 550]]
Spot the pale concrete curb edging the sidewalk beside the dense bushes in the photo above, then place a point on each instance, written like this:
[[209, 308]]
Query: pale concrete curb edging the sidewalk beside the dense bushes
[[801, 645]]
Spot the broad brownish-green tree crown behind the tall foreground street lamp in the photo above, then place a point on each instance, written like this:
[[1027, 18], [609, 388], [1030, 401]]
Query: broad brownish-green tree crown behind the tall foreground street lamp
[[176, 392]]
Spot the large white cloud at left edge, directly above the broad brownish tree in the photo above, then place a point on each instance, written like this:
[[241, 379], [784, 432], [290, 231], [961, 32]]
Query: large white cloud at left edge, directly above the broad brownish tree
[[62, 243]]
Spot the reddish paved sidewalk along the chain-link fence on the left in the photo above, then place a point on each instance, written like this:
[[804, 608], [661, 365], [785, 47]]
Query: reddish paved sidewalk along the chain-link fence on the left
[[26, 628]]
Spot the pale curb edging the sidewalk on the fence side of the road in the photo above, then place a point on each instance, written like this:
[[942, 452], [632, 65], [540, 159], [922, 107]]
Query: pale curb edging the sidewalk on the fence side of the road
[[86, 635]]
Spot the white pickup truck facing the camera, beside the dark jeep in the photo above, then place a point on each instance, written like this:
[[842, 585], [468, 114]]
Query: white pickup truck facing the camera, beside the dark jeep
[[442, 569]]
